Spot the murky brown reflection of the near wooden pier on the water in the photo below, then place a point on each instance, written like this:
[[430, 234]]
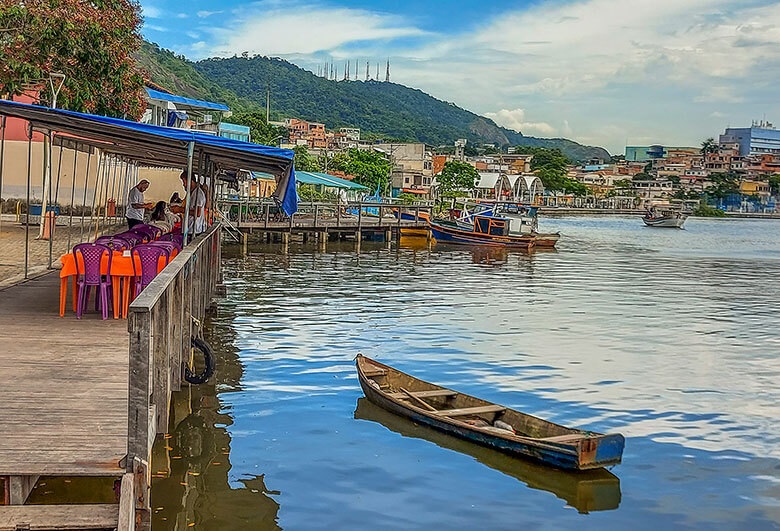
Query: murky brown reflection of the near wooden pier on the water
[[191, 464]]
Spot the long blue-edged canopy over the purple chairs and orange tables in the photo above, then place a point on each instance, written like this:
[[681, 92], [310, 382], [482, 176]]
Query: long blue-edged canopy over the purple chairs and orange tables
[[164, 146]]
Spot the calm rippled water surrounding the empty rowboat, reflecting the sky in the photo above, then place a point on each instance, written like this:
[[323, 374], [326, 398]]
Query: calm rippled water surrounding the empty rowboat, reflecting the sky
[[669, 337]]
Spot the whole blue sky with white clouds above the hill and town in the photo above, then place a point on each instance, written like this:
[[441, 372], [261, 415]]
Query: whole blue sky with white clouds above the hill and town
[[608, 73]]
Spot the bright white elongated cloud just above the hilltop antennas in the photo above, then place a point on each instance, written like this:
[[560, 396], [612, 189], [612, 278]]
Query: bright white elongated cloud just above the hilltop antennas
[[308, 30]]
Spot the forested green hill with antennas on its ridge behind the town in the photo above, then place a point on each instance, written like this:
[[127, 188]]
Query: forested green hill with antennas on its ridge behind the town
[[377, 108]]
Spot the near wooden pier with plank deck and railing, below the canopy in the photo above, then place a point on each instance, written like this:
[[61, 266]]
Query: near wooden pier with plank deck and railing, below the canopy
[[87, 397]]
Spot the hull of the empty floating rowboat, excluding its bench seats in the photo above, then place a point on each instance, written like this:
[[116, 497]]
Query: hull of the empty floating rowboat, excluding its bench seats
[[573, 450]]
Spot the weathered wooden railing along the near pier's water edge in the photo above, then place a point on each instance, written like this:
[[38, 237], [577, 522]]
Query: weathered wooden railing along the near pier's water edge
[[161, 322]]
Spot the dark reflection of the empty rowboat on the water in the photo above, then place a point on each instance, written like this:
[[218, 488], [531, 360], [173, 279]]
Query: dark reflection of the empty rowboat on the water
[[586, 491]]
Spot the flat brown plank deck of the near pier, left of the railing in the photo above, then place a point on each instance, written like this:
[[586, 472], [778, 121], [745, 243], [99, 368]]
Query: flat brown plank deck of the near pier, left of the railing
[[64, 386]]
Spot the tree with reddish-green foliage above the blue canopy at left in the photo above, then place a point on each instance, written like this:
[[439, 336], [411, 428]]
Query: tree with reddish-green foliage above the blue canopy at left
[[91, 43]]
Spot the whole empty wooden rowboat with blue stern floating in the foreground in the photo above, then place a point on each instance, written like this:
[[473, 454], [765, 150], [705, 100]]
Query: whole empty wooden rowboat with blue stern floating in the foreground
[[486, 423]]
